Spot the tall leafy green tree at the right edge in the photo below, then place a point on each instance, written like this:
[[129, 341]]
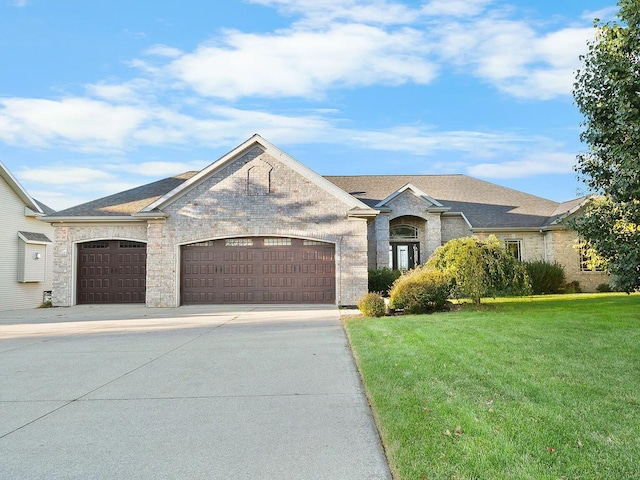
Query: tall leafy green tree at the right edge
[[607, 92]]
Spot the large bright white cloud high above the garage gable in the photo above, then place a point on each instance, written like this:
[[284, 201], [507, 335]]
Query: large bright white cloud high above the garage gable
[[303, 63]]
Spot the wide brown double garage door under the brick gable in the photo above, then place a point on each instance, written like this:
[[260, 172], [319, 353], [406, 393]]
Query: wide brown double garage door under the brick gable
[[258, 270]]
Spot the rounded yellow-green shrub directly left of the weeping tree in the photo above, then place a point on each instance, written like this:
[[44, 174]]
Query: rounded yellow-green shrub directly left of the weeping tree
[[421, 290]]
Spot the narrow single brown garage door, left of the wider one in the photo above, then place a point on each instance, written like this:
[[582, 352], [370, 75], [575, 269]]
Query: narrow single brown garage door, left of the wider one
[[112, 271]]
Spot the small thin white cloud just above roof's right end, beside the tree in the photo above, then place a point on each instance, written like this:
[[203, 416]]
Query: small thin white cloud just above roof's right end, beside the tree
[[539, 163]]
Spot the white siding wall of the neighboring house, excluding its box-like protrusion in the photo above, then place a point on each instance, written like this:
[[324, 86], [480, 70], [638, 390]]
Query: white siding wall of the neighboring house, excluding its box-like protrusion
[[15, 295]]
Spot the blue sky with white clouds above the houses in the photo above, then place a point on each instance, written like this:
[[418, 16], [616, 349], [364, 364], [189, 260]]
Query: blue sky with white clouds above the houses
[[103, 95]]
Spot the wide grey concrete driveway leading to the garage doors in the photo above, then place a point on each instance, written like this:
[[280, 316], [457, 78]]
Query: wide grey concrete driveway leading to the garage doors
[[115, 392]]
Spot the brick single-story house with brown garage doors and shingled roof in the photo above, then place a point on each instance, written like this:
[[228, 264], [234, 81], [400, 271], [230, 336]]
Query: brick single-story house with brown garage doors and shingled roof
[[257, 226]]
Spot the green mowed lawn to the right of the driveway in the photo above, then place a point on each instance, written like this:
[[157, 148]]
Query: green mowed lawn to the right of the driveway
[[534, 388]]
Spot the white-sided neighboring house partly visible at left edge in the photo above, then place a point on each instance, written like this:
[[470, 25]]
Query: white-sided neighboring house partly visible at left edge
[[26, 250]]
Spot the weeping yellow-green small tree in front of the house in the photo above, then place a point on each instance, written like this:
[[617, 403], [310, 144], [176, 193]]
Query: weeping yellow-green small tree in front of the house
[[480, 268]]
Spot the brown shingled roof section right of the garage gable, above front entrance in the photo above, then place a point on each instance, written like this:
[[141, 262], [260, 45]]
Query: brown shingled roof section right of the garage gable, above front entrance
[[484, 204]]
